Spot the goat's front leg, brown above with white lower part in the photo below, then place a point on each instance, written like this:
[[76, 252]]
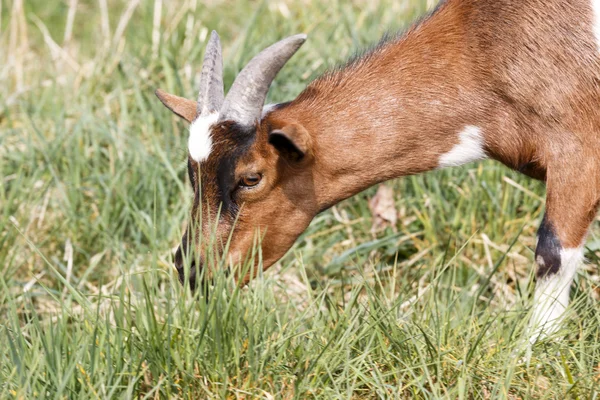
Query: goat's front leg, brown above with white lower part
[[571, 205]]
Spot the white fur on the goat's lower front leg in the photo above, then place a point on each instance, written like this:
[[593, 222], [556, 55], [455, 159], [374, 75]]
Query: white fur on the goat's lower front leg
[[551, 296]]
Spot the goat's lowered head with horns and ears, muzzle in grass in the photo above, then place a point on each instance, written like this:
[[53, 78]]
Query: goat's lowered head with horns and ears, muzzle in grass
[[250, 175]]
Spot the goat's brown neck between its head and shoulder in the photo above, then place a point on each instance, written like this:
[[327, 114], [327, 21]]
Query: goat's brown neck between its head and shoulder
[[394, 113]]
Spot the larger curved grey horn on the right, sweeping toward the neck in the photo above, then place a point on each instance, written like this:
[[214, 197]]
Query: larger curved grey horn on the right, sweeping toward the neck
[[245, 100]]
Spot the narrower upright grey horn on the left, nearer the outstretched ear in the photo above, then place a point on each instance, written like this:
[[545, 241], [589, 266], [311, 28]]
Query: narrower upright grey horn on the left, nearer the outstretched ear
[[210, 97]]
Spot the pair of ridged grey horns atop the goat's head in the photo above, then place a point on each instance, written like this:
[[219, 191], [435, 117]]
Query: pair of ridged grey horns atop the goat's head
[[245, 100]]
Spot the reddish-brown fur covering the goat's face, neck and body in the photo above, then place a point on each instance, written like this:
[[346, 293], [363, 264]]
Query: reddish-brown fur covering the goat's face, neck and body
[[526, 72]]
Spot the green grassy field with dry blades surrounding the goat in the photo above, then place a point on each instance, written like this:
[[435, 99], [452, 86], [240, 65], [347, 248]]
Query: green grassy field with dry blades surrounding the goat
[[94, 195]]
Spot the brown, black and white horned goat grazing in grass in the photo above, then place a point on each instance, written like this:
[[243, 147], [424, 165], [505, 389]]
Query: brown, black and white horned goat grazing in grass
[[517, 81]]
